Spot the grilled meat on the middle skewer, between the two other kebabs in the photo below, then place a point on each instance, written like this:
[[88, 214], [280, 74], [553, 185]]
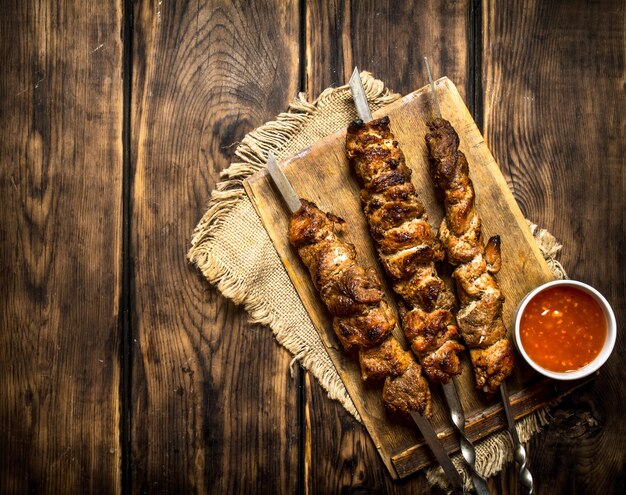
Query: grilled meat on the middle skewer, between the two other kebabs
[[406, 245]]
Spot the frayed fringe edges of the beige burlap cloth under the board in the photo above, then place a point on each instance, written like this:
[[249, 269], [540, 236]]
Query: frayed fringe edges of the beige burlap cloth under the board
[[492, 452]]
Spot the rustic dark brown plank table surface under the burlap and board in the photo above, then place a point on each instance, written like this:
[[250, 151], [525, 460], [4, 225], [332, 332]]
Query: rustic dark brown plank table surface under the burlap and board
[[121, 369]]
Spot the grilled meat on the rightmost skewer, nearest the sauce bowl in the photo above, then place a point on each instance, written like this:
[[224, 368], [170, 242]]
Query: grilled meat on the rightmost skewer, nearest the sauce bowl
[[480, 313]]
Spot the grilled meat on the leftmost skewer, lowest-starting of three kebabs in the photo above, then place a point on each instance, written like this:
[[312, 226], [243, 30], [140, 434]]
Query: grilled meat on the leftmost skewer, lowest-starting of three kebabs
[[363, 321]]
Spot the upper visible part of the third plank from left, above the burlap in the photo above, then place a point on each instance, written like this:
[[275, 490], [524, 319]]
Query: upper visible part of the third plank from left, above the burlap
[[388, 39]]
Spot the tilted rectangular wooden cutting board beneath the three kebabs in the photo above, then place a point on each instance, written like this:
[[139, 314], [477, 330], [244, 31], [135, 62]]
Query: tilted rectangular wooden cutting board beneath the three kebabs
[[322, 174]]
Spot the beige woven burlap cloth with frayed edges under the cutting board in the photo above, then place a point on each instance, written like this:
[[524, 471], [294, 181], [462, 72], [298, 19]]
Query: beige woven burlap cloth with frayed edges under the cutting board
[[234, 252]]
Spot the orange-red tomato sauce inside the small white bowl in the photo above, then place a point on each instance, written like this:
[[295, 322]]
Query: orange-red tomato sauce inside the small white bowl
[[563, 329]]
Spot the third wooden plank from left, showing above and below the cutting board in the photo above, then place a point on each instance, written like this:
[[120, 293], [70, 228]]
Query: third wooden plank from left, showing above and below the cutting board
[[388, 39]]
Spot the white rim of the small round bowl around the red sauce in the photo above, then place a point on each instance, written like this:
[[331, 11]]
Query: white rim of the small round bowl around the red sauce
[[604, 353]]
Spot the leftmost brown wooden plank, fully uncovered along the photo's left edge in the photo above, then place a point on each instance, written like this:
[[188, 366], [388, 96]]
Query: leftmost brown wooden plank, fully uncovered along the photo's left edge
[[60, 247]]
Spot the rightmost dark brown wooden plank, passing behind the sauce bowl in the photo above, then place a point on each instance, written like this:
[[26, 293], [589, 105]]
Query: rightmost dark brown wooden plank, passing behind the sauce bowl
[[555, 119]]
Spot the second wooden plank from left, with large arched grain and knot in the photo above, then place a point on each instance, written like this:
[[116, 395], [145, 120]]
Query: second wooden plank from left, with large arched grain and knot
[[214, 406]]
